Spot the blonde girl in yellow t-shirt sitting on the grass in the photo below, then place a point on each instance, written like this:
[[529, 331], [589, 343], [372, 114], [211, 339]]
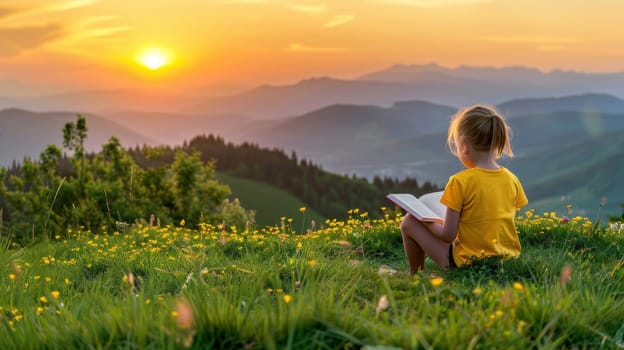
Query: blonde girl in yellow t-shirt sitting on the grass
[[481, 200]]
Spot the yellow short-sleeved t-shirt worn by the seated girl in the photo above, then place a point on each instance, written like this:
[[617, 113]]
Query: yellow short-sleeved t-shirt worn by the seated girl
[[487, 201]]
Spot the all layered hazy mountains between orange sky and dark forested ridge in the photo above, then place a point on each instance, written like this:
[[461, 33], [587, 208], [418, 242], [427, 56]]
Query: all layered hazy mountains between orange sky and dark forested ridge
[[393, 122]]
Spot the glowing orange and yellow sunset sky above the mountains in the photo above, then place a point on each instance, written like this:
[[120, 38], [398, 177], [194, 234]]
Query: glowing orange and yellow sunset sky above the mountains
[[99, 43]]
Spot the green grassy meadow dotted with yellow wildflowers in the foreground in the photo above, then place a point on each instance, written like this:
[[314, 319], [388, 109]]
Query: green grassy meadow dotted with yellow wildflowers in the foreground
[[176, 287]]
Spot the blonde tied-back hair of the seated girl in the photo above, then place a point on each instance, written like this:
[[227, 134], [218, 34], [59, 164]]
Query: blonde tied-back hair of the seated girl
[[483, 128]]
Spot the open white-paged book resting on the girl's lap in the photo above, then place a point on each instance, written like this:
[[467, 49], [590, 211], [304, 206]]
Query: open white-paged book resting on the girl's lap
[[425, 208]]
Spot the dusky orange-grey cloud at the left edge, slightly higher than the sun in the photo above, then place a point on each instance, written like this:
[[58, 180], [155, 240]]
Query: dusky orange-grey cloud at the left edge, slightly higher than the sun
[[15, 40]]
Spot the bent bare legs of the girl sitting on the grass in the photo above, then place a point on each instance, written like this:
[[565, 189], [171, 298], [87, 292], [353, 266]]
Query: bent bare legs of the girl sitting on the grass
[[419, 242]]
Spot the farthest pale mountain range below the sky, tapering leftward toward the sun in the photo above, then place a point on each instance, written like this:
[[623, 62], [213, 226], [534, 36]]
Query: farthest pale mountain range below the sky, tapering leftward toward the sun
[[464, 85]]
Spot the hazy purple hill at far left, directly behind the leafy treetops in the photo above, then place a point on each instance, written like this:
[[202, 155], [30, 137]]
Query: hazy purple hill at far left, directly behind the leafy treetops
[[25, 133]]
